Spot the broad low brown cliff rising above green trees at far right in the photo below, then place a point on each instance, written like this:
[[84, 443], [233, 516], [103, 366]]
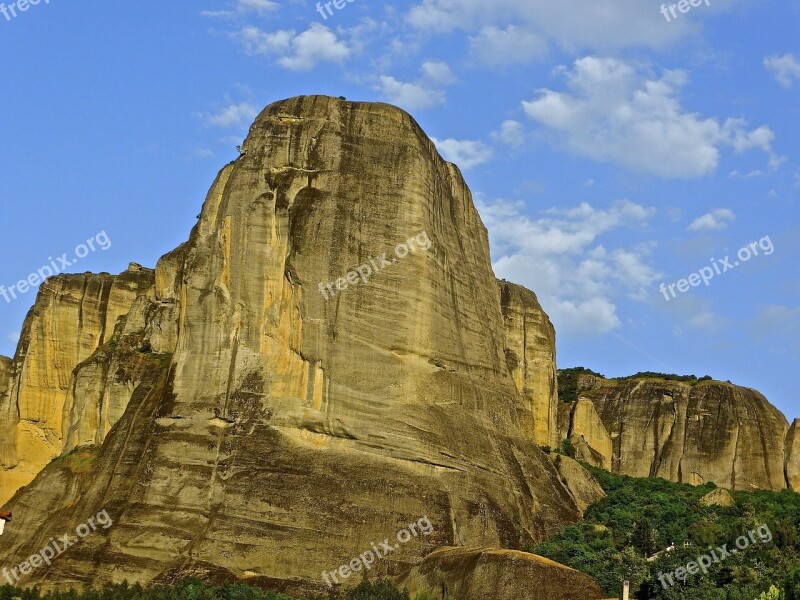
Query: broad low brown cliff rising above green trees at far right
[[690, 432]]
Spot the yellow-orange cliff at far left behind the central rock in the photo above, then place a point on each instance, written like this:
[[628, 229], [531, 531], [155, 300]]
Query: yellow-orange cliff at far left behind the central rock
[[73, 316]]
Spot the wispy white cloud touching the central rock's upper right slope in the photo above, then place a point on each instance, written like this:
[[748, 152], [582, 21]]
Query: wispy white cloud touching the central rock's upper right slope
[[559, 255]]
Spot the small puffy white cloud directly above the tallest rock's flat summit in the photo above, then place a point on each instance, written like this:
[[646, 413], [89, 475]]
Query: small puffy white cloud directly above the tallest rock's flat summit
[[296, 52]]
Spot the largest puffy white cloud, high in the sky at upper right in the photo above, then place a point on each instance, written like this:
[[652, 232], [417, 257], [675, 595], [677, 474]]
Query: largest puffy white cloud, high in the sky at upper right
[[612, 113]]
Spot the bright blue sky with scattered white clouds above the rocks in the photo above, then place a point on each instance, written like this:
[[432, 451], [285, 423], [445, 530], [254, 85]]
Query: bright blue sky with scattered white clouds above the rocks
[[610, 150]]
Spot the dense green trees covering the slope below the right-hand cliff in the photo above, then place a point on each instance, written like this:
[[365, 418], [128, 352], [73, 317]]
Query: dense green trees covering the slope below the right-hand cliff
[[640, 517]]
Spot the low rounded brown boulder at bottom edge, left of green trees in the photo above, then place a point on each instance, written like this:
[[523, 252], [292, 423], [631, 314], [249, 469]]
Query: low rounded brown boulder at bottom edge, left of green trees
[[485, 574]]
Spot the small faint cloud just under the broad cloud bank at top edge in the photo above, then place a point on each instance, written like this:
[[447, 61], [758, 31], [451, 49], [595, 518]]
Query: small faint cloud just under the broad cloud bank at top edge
[[497, 47]]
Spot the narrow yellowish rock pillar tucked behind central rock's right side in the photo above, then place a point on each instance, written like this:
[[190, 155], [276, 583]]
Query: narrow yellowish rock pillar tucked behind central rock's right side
[[531, 359]]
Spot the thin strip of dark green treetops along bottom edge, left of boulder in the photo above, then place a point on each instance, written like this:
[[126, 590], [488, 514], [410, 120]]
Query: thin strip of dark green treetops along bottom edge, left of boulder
[[193, 589]]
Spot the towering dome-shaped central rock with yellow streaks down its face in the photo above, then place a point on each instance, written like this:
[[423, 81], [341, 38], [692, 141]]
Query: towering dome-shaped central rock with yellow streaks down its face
[[273, 432]]
